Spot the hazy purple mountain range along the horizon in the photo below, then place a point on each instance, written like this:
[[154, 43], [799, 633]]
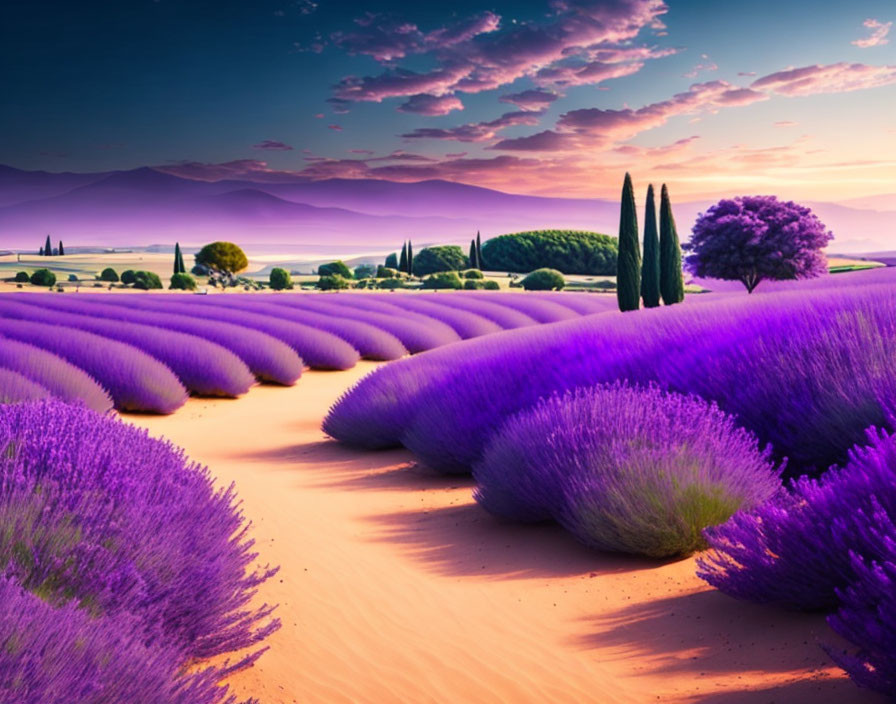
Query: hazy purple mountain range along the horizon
[[148, 206]]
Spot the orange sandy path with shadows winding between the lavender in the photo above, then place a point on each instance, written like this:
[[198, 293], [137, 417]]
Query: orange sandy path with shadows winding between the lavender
[[395, 587]]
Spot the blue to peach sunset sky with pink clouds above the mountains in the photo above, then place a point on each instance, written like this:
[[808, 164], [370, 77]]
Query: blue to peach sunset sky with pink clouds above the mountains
[[547, 97]]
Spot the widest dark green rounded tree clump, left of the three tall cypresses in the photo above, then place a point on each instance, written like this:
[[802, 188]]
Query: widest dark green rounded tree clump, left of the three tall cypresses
[[568, 251]]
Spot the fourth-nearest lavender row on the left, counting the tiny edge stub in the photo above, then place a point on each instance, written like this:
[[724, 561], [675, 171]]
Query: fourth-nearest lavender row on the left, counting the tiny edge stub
[[204, 368]]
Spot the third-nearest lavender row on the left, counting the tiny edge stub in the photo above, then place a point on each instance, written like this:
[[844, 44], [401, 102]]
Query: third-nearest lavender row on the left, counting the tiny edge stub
[[136, 381]]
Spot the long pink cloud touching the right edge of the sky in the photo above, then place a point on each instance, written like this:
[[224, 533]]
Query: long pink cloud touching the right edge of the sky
[[833, 78]]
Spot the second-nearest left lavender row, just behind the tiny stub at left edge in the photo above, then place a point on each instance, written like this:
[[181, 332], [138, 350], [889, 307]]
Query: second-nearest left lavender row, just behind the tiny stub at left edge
[[59, 377]]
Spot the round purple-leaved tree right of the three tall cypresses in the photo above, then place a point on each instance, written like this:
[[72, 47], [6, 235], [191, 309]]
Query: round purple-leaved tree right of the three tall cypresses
[[753, 238]]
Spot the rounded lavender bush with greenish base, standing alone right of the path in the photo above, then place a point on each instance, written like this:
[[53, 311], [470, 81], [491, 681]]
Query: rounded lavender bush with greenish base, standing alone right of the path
[[625, 469]]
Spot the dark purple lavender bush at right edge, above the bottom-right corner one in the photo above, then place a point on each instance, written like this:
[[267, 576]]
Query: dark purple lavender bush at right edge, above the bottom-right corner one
[[799, 549]]
